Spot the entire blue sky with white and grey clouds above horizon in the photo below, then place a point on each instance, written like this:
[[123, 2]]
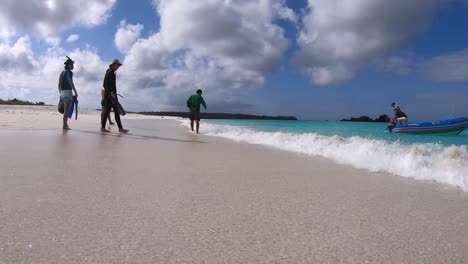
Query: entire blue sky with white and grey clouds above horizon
[[316, 59]]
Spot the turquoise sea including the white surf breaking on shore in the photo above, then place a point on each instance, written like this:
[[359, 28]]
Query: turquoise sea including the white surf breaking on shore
[[362, 145]]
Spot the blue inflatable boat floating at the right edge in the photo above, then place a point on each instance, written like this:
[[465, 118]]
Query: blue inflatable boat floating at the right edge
[[450, 126]]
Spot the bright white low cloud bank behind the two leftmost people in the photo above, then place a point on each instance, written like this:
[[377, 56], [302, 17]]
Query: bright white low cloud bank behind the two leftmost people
[[43, 71]]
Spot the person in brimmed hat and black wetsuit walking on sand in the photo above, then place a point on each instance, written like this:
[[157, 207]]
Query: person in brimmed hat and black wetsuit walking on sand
[[110, 97]]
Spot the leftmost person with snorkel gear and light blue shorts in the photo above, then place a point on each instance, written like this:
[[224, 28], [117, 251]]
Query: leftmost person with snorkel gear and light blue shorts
[[66, 89]]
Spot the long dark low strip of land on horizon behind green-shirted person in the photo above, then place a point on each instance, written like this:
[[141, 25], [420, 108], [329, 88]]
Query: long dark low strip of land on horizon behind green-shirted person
[[221, 116]]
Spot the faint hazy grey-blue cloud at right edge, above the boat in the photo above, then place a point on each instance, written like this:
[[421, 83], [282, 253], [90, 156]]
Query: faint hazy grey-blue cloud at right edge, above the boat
[[446, 68]]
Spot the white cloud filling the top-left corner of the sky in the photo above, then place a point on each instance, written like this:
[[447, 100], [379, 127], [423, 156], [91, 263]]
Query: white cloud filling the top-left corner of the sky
[[49, 17]]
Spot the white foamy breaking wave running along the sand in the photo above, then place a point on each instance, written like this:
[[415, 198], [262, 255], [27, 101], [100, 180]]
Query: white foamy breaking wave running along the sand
[[422, 161]]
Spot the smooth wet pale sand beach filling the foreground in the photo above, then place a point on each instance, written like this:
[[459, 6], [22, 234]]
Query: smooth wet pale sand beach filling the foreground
[[161, 194]]
